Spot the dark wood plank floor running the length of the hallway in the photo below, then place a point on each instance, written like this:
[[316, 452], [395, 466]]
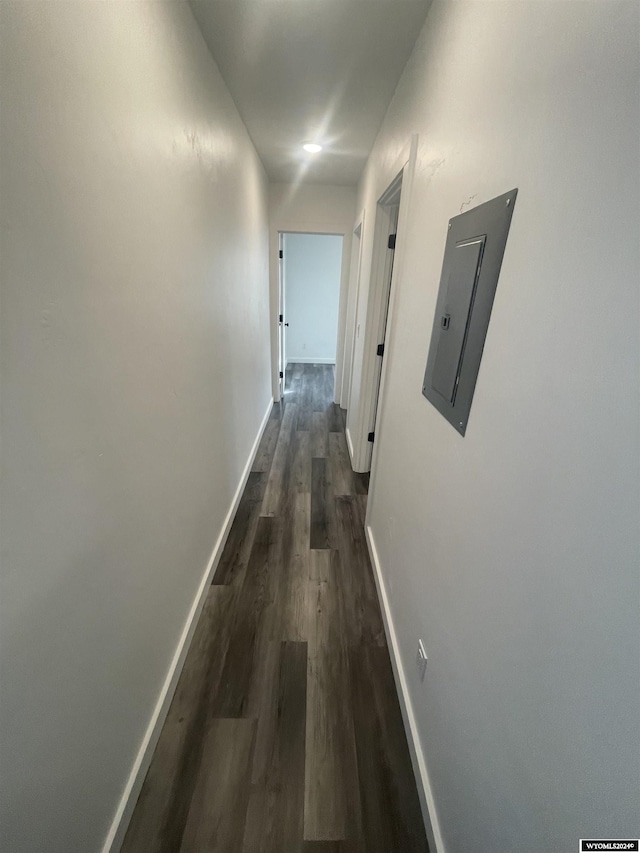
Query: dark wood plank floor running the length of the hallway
[[285, 733]]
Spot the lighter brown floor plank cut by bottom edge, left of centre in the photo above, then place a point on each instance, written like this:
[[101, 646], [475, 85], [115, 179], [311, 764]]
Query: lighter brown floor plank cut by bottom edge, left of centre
[[218, 809]]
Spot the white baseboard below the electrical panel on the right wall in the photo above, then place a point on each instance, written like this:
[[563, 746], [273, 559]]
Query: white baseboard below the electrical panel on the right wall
[[425, 794]]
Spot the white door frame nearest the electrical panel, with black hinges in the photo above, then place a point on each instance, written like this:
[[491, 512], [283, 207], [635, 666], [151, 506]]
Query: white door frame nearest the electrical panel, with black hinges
[[363, 453]]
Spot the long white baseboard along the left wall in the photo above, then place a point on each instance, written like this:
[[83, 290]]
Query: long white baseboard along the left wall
[[127, 803]]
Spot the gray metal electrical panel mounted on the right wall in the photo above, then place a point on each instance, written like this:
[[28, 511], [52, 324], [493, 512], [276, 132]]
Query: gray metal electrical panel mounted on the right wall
[[472, 258]]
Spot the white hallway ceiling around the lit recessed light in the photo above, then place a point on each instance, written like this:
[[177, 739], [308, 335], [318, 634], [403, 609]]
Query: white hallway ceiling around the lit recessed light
[[311, 71]]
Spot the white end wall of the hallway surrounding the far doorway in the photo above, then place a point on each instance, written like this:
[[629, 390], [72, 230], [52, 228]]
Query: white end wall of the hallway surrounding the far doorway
[[310, 208]]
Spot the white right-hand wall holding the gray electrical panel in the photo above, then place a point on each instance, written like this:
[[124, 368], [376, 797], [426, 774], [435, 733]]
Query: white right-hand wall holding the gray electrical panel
[[514, 552]]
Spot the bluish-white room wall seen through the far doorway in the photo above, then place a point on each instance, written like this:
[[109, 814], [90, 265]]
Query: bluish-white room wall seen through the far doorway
[[312, 267]]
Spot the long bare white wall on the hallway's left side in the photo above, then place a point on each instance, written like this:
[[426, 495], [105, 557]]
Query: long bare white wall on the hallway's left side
[[135, 375]]
